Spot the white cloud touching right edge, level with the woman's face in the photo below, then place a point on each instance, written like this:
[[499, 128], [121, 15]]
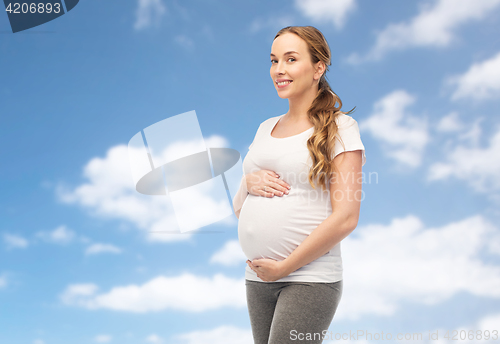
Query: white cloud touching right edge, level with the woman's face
[[480, 82]]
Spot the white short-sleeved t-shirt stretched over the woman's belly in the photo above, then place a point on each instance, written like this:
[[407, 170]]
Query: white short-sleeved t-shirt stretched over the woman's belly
[[274, 227]]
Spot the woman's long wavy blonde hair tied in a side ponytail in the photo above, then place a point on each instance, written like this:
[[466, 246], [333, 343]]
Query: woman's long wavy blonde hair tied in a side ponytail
[[323, 112]]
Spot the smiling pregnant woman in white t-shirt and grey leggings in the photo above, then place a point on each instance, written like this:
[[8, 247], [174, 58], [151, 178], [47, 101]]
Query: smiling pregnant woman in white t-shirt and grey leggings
[[299, 197]]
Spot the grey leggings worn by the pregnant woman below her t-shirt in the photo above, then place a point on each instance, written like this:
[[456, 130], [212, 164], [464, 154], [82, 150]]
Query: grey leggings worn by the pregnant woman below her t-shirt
[[291, 312]]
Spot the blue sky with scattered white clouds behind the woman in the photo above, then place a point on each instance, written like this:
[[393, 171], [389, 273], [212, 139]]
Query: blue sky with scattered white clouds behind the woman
[[78, 263]]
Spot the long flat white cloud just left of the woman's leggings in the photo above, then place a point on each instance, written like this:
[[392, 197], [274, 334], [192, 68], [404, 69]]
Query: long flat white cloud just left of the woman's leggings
[[186, 292]]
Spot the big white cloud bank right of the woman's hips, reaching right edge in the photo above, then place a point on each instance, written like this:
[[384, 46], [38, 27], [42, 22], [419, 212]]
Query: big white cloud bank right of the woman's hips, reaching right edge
[[386, 265]]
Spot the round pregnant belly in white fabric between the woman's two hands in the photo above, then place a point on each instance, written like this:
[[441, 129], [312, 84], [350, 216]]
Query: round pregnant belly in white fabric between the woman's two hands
[[274, 227]]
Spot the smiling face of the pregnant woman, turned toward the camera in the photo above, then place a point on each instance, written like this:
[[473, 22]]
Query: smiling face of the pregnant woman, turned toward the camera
[[295, 67]]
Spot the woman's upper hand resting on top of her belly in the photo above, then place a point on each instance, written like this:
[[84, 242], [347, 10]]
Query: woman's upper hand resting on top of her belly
[[266, 180]]
